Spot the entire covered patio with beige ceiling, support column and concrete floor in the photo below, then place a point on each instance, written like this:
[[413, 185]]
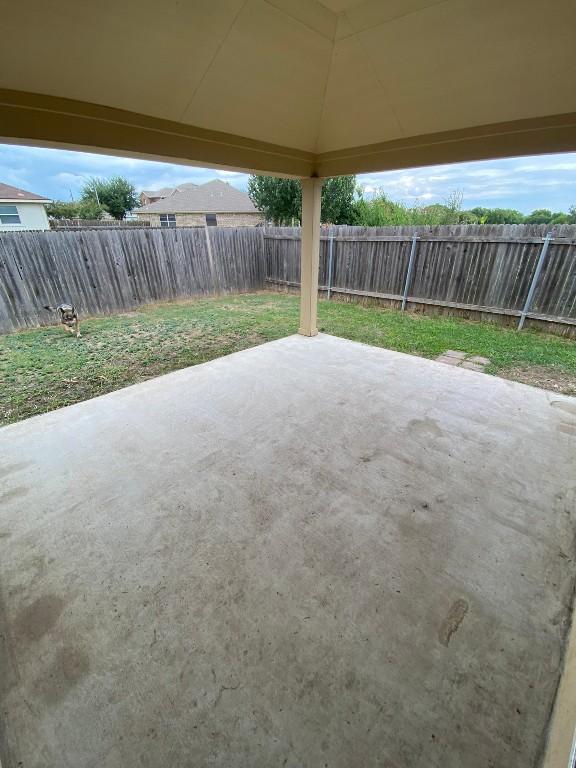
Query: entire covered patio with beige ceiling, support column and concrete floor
[[311, 553]]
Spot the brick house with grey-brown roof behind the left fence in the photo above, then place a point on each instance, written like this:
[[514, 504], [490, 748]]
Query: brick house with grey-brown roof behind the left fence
[[215, 203]]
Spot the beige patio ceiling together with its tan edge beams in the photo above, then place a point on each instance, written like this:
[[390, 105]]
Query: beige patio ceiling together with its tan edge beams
[[296, 87]]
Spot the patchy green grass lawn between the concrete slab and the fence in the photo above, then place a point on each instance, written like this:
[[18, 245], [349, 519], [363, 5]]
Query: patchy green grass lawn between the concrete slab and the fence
[[46, 368]]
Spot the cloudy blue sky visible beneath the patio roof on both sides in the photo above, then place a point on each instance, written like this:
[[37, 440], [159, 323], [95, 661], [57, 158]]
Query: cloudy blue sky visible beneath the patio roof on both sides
[[547, 181]]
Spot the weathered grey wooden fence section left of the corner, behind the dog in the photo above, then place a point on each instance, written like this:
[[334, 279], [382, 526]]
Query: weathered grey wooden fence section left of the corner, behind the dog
[[112, 270]]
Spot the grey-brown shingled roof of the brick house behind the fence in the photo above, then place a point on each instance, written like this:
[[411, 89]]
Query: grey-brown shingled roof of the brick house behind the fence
[[213, 197]]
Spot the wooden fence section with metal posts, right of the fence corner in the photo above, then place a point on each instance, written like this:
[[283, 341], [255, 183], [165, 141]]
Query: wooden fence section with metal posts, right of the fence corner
[[510, 271]]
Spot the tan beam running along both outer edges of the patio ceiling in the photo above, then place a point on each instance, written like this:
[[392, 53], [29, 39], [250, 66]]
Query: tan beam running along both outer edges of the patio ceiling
[[37, 119]]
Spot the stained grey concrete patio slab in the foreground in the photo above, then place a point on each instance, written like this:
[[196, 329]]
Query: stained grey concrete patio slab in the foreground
[[311, 553]]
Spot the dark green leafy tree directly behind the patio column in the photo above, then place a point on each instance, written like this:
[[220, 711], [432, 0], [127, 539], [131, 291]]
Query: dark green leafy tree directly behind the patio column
[[280, 200]]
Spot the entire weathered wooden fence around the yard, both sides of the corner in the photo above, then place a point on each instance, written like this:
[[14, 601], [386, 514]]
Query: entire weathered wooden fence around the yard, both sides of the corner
[[483, 269]]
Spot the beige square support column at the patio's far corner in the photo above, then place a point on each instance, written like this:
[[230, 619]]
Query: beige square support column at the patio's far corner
[[310, 255]]
